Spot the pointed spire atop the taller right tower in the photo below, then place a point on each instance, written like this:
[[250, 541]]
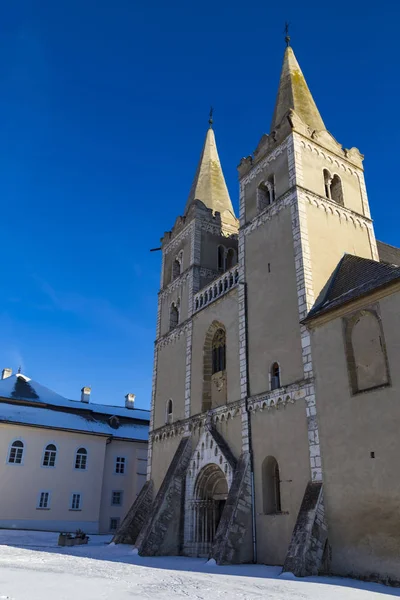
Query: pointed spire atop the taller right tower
[[293, 94]]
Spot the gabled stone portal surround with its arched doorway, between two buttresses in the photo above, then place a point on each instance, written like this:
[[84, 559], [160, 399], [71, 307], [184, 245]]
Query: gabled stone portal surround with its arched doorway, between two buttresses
[[208, 481]]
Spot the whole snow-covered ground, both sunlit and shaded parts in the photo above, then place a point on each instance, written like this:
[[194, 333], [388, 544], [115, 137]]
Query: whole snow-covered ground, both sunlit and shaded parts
[[33, 567]]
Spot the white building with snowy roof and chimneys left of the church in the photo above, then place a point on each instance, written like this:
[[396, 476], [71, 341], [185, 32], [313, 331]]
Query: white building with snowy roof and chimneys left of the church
[[67, 464]]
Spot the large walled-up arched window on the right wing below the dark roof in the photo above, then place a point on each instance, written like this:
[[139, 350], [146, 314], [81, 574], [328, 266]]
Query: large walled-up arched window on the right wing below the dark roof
[[366, 352]]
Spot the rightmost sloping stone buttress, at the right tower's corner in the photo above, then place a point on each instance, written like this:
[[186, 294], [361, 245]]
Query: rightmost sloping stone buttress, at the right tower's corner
[[306, 550]]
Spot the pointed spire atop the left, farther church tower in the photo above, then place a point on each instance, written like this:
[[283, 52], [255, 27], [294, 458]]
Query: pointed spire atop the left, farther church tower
[[209, 183]]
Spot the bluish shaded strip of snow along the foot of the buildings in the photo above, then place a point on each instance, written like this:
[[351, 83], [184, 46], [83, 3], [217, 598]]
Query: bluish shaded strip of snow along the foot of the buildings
[[99, 548]]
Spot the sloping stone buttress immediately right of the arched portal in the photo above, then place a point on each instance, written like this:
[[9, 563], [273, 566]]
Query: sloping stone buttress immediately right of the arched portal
[[233, 538]]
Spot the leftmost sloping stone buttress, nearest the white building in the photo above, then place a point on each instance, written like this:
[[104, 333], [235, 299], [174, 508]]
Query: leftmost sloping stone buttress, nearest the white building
[[136, 517]]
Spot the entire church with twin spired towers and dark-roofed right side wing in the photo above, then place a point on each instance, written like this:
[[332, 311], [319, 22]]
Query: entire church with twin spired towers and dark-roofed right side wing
[[275, 402]]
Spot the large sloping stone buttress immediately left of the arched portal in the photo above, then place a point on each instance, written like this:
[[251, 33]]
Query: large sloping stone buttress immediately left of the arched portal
[[162, 534]]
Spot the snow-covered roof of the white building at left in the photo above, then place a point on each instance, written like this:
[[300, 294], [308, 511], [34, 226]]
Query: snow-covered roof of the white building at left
[[26, 402]]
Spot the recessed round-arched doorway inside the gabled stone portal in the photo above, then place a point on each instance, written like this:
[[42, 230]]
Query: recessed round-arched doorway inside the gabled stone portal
[[210, 494]]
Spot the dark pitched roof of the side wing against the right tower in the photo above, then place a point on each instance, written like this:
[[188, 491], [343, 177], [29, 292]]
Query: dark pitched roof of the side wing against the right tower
[[354, 277]]
